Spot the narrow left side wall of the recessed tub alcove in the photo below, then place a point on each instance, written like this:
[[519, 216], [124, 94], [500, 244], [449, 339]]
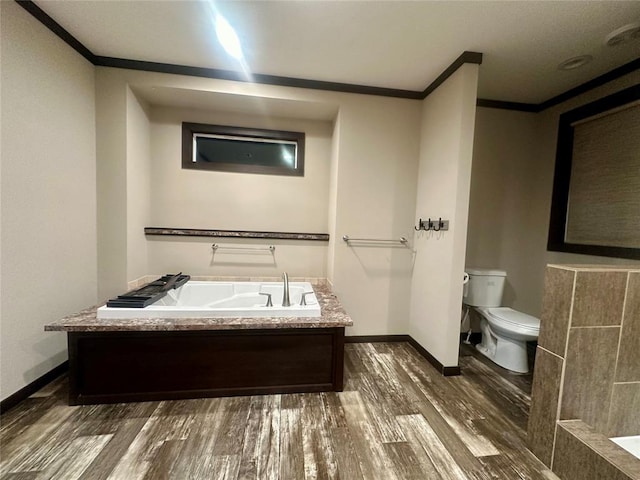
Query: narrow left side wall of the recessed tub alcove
[[138, 185]]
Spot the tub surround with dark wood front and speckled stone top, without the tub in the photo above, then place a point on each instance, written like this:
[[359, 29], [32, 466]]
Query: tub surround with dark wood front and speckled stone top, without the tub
[[123, 360]]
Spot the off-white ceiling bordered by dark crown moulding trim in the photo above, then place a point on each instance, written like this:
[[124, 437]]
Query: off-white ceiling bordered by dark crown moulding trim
[[391, 44]]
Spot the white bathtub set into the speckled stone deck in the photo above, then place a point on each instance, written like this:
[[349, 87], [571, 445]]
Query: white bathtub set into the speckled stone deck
[[224, 299]]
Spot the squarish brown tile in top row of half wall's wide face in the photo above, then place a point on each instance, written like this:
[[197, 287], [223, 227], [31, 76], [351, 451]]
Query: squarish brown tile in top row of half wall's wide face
[[599, 298]]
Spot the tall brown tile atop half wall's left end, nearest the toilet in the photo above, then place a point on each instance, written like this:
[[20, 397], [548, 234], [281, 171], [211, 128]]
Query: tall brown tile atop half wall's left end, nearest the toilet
[[556, 309]]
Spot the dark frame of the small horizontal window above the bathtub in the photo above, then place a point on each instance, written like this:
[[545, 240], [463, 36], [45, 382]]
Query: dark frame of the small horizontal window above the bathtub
[[189, 129]]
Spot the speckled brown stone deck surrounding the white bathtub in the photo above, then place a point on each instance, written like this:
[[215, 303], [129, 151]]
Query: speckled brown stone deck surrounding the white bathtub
[[332, 315]]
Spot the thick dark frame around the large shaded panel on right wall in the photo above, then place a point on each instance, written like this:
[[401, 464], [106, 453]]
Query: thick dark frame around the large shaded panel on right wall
[[562, 177]]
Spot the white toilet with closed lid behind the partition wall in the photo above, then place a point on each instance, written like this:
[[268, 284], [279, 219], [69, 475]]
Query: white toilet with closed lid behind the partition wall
[[505, 332]]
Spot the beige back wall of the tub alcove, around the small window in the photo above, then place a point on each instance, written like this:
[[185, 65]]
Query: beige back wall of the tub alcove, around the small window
[[237, 201]]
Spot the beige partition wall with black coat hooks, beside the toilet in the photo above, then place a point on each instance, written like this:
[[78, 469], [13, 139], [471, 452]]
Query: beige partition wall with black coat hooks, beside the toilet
[[448, 118]]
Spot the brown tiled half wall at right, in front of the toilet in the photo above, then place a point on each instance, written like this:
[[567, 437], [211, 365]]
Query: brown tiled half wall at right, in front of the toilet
[[588, 356]]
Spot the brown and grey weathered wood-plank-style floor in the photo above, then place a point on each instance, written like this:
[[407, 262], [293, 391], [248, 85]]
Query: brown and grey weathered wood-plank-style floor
[[396, 419]]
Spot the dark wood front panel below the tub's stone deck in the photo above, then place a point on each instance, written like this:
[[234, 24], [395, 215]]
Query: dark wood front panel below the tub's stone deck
[[136, 366]]
